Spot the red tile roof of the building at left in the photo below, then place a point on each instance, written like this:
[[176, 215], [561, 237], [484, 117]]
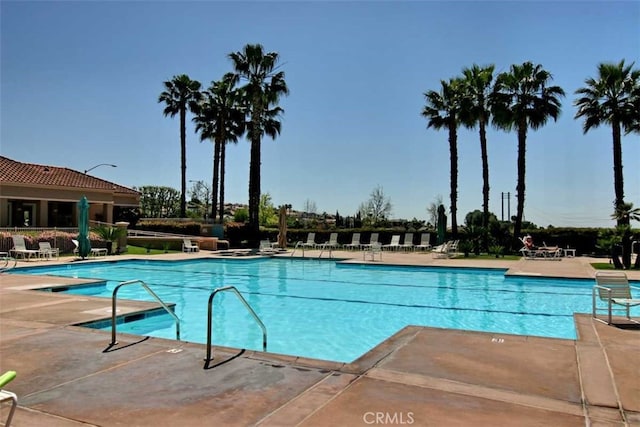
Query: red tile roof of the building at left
[[13, 172]]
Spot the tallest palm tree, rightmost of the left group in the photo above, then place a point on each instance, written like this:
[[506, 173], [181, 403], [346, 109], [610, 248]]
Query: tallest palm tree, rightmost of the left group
[[264, 87]]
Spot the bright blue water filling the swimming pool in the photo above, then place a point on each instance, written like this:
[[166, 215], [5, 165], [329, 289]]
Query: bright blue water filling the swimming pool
[[334, 311]]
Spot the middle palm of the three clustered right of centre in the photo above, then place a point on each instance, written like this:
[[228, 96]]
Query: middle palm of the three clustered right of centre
[[476, 110]]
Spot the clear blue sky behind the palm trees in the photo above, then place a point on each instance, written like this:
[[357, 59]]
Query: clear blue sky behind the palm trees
[[80, 83]]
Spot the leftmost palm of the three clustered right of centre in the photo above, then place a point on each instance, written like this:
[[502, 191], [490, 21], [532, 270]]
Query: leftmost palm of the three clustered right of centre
[[442, 111]]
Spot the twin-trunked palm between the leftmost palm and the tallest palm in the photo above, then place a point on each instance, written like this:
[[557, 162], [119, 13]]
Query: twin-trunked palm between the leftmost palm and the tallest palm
[[220, 119]]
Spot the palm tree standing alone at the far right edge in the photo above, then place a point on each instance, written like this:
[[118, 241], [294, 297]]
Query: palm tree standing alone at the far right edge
[[613, 98]]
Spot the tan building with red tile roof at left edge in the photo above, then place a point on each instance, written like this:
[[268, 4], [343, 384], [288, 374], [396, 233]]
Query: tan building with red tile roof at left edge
[[46, 196]]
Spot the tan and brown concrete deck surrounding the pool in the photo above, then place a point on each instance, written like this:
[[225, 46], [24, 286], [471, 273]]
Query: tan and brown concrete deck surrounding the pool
[[70, 376]]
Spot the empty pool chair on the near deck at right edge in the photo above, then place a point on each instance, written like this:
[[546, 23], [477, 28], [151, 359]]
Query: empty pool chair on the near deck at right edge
[[613, 288]]
